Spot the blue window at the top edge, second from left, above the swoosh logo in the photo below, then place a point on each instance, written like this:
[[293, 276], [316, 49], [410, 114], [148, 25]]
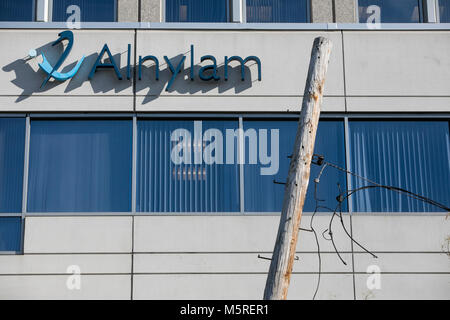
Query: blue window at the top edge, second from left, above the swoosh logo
[[91, 11]]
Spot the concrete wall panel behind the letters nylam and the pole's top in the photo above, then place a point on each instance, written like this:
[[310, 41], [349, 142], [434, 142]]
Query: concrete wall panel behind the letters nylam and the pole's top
[[283, 70]]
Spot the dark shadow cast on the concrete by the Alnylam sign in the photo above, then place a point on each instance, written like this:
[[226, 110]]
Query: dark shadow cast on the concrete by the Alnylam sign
[[105, 80]]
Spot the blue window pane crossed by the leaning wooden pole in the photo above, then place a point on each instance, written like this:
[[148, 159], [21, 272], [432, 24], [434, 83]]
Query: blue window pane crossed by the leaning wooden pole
[[263, 195]]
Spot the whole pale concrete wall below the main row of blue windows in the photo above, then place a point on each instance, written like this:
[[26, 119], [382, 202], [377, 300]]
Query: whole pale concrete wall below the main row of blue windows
[[216, 257]]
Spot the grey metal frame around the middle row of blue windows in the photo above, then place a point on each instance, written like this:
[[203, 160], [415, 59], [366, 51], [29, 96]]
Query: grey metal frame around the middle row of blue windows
[[345, 117]]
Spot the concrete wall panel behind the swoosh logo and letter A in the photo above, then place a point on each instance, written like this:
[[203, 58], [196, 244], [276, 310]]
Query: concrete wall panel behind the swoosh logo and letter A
[[22, 78]]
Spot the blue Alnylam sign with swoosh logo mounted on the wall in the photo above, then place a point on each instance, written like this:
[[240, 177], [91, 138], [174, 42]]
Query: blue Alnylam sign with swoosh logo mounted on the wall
[[207, 72]]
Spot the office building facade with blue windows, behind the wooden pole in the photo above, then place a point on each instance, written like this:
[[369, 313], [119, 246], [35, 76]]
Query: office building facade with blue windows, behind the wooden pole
[[144, 145]]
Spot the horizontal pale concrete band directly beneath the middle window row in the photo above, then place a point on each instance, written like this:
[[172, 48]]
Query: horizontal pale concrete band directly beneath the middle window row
[[236, 234]]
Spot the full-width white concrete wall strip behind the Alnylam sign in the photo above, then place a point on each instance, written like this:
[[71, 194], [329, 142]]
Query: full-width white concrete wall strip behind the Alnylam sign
[[370, 71]]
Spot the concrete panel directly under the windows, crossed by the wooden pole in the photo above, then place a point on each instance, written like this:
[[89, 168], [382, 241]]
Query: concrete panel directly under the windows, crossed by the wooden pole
[[227, 234]]
